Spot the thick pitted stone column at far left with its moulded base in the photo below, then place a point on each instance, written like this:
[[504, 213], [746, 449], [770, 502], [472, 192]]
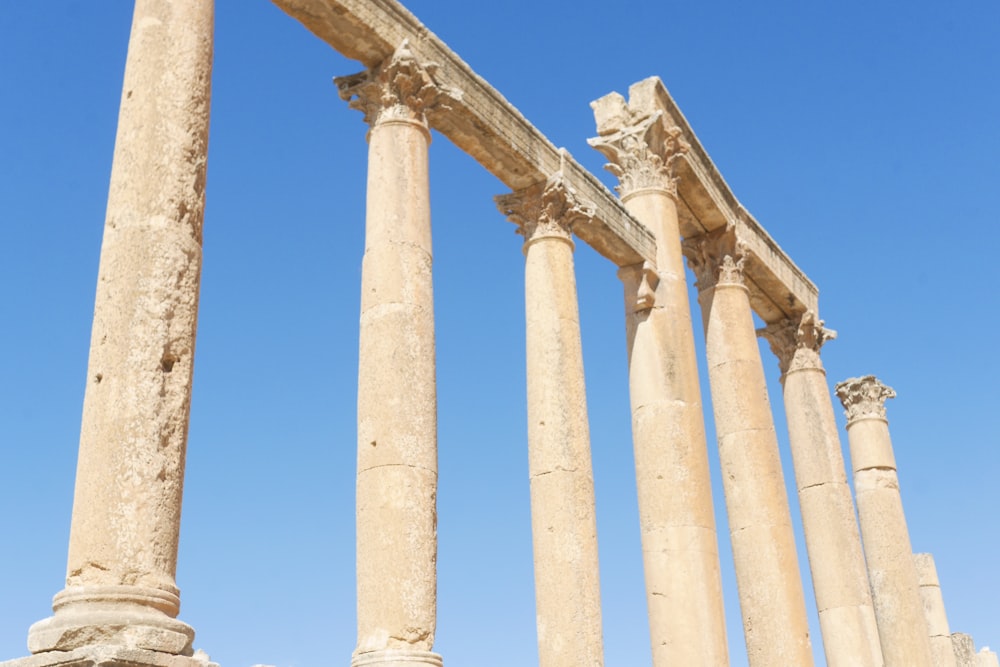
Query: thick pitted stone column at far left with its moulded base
[[120, 580]]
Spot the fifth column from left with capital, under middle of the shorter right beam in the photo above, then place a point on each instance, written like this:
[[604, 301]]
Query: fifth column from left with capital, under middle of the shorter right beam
[[760, 524]]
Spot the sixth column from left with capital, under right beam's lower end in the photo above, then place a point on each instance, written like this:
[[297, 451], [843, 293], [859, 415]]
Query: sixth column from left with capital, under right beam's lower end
[[840, 580]]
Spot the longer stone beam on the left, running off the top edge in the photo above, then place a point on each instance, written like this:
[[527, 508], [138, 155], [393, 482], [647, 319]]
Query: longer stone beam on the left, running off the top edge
[[479, 120]]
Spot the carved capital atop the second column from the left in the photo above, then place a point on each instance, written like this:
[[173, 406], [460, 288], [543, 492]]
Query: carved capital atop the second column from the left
[[400, 88]]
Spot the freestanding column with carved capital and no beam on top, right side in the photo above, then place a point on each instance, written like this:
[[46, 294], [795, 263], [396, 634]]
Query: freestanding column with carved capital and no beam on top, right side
[[891, 570]]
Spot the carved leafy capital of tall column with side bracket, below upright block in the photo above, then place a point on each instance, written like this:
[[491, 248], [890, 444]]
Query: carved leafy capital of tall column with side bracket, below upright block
[[642, 151]]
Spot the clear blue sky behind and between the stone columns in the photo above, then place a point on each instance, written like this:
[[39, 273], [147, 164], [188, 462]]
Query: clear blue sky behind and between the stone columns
[[863, 136]]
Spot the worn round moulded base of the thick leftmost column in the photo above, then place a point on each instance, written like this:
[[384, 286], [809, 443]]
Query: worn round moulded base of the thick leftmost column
[[129, 617]]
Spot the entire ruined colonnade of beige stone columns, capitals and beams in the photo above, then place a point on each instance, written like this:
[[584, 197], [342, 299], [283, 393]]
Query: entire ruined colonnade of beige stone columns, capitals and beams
[[878, 603]]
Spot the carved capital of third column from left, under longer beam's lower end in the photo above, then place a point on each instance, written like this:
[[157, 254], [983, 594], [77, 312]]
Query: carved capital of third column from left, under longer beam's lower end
[[548, 209]]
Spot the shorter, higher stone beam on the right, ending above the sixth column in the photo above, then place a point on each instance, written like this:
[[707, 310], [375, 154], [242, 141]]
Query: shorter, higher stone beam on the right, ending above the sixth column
[[778, 288]]
